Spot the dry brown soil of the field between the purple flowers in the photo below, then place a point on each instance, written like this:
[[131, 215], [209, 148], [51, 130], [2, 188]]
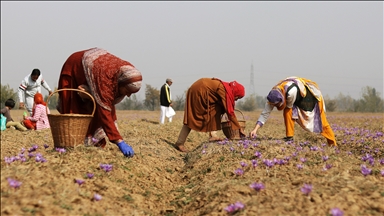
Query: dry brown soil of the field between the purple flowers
[[159, 180]]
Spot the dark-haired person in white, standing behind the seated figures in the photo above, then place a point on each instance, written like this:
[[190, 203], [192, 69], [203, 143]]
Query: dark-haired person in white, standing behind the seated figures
[[29, 86]]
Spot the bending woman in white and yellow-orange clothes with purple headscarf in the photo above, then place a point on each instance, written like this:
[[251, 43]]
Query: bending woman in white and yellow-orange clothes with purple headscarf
[[302, 102]]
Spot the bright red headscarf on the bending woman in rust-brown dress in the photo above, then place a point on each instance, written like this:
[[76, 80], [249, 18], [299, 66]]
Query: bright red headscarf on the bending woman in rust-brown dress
[[233, 89]]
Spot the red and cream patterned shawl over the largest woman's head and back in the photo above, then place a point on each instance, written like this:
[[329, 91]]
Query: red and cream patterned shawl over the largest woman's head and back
[[105, 72]]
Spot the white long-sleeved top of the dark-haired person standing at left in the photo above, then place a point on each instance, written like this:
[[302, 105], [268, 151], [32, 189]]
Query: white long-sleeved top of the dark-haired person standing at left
[[28, 87]]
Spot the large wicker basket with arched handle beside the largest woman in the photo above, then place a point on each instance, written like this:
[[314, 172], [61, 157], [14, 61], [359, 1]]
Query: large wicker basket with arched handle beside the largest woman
[[69, 130]]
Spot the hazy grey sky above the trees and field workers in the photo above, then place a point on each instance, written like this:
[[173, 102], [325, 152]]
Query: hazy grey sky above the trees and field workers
[[339, 45]]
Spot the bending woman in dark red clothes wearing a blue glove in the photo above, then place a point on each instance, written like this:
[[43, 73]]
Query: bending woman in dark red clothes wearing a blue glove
[[108, 79]]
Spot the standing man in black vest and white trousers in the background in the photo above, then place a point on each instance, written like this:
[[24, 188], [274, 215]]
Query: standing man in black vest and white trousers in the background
[[165, 100]]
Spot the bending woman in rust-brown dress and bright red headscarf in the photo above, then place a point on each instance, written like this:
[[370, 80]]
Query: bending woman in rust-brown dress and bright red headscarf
[[206, 100]]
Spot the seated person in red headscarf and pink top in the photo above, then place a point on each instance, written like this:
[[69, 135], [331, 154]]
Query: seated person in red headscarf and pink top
[[39, 118]]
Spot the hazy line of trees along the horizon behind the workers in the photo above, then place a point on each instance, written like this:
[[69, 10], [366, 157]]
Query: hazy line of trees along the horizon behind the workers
[[370, 101]]
